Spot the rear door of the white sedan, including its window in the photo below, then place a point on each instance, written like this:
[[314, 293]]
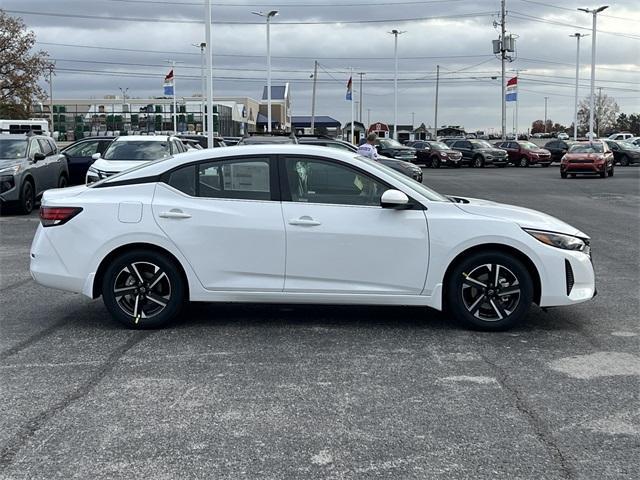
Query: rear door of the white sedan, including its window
[[225, 217]]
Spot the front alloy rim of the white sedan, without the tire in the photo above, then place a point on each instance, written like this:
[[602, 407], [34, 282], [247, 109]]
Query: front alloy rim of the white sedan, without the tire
[[490, 292]]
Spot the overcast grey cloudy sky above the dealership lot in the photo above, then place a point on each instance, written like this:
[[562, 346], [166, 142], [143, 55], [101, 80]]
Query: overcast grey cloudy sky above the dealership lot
[[453, 34]]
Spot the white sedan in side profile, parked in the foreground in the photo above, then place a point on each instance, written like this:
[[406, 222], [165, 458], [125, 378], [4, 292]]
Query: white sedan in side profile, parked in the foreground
[[301, 224]]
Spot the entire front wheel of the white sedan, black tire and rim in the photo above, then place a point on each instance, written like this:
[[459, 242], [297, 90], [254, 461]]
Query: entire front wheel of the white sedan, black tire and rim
[[487, 307]]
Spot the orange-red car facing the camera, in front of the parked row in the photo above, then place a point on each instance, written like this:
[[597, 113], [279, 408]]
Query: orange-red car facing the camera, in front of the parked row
[[593, 158]]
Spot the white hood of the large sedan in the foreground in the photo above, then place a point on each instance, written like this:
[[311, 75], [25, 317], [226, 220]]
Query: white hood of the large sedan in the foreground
[[524, 217]]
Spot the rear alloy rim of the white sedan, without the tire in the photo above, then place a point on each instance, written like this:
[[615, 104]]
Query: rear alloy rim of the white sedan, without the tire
[[142, 290]]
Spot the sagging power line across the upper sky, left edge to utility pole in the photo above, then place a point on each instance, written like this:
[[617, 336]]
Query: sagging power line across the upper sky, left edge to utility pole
[[235, 22]]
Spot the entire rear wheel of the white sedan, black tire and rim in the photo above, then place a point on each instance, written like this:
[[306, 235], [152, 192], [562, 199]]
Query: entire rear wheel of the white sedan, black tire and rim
[[153, 302]]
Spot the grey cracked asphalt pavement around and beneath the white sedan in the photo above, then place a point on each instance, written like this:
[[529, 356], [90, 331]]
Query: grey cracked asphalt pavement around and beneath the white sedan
[[248, 391]]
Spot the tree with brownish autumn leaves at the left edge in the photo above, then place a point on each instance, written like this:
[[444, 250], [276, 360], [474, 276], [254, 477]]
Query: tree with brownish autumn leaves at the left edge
[[20, 68]]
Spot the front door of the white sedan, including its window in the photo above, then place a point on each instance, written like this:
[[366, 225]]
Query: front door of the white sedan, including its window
[[340, 240]]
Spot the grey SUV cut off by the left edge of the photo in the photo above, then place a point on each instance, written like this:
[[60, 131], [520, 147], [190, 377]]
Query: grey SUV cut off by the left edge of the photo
[[29, 165]]
